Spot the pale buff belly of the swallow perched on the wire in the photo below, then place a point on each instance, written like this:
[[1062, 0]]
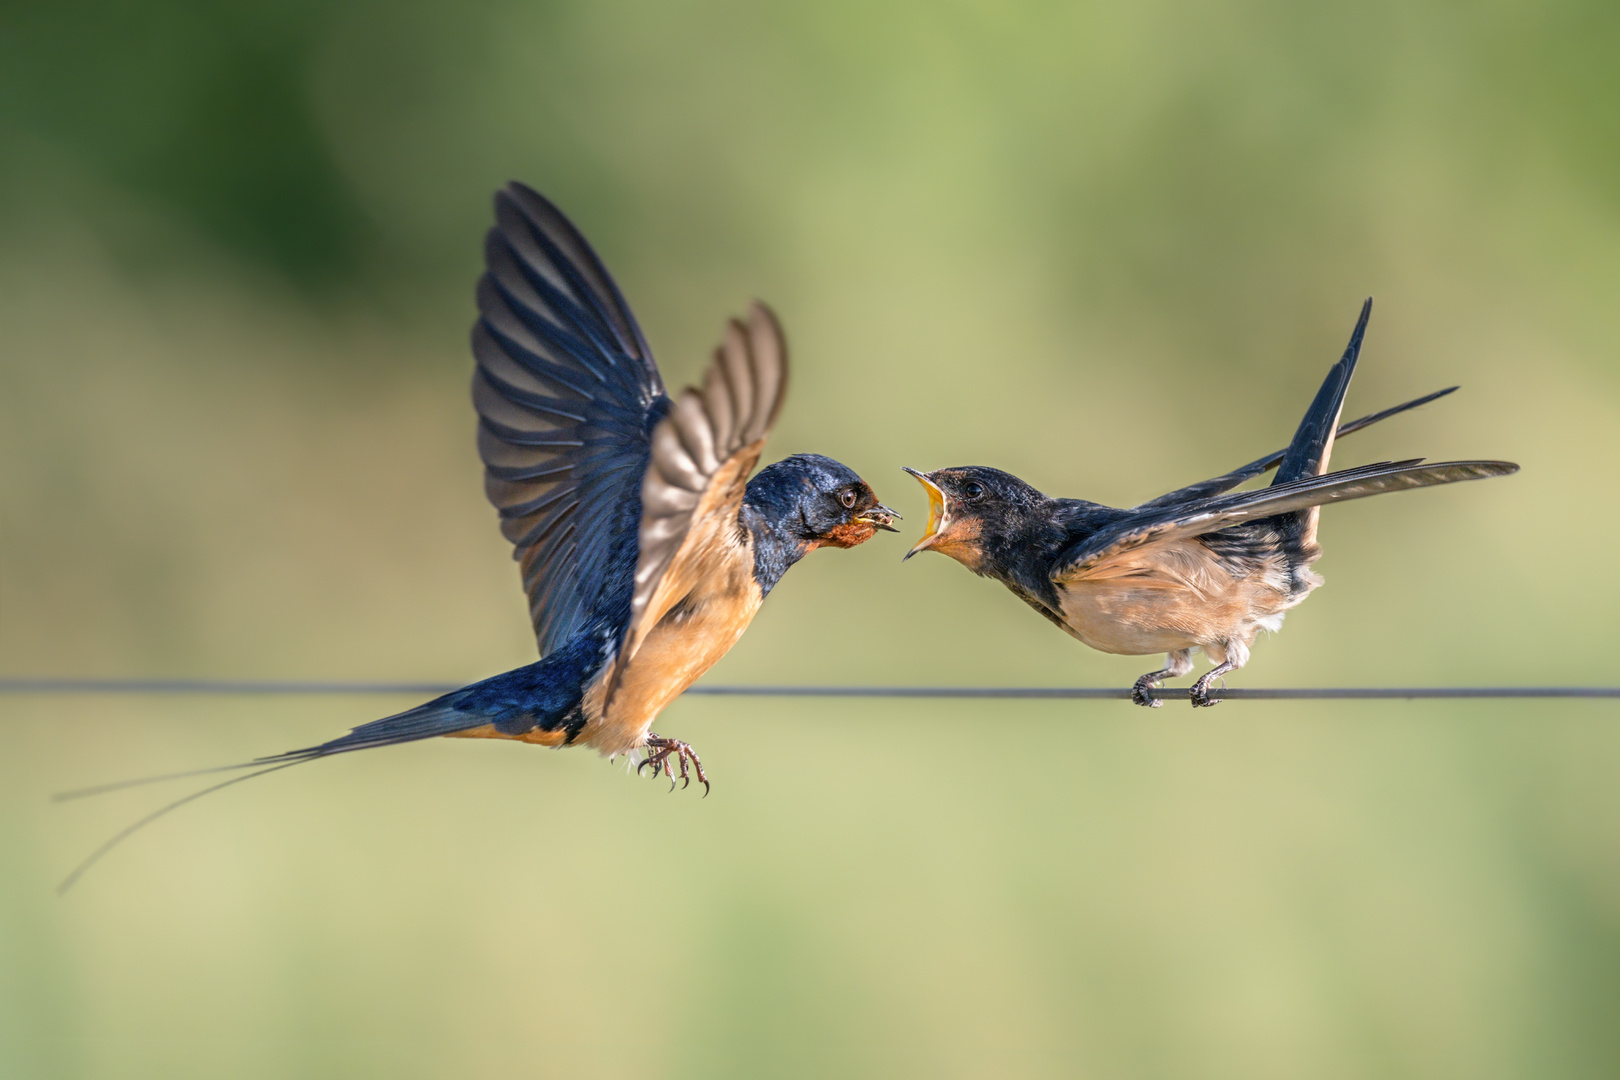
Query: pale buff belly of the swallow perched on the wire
[[1172, 597]]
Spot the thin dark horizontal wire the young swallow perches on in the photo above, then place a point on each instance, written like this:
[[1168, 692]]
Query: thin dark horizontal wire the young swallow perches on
[[1083, 694]]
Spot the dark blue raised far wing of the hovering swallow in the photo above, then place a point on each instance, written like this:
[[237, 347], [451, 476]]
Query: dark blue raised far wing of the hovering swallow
[[568, 396]]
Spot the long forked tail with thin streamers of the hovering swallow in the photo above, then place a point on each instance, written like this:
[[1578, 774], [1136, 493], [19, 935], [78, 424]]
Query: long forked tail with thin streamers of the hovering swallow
[[440, 716]]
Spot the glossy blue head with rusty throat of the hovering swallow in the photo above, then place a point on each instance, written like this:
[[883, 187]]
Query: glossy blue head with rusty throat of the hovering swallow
[[824, 503]]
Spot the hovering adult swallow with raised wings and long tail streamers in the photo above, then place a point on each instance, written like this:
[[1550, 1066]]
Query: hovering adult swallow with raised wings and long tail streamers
[[646, 548]]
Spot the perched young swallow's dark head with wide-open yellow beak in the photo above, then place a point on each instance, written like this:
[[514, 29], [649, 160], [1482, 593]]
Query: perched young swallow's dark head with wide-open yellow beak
[[970, 511]]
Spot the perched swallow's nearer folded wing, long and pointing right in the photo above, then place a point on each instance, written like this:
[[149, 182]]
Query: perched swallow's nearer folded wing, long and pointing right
[[1093, 555]]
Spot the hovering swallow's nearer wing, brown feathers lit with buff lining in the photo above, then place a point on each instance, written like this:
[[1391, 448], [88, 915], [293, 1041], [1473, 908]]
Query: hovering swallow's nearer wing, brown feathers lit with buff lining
[[702, 457]]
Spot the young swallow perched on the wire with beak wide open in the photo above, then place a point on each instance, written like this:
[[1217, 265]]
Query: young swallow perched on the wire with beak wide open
[[1192, 569]]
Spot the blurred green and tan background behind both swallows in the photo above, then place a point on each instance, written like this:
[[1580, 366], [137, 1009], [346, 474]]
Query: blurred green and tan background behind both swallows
[[1106, 247]]
